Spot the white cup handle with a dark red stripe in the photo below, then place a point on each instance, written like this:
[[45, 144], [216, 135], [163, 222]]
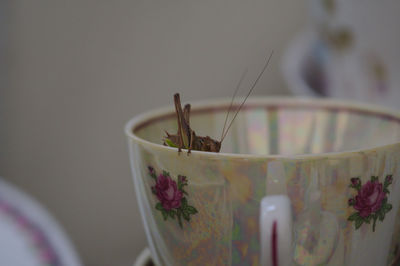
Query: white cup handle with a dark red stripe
[[276, 230]]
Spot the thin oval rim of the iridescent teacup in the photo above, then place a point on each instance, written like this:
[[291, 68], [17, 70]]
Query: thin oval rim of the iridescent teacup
[[150, 116]]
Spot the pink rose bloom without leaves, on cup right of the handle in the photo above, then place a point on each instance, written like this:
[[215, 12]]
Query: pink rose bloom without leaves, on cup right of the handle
[[369, 198]]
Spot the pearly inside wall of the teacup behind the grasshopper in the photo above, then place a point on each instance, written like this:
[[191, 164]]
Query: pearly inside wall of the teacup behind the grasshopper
[[288, 127]]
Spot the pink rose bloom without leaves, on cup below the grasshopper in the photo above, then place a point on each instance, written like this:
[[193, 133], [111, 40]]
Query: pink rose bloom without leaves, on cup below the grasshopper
[[167, 192]]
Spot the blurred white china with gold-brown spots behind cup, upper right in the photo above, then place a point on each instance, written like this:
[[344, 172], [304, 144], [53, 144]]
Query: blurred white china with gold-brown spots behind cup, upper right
[[356, 44]]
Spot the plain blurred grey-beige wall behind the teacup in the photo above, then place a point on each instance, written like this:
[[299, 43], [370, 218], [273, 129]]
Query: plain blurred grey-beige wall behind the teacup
[[75, 71]]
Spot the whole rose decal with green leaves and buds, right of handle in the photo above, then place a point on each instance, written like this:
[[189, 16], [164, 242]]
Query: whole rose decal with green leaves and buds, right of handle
[[370, 203]]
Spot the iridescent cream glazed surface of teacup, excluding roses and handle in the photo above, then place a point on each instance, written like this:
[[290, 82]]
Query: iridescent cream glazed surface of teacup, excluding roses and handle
[[306, 149]]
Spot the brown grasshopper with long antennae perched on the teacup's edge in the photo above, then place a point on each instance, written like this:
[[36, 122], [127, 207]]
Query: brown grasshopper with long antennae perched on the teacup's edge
[[186, 138]]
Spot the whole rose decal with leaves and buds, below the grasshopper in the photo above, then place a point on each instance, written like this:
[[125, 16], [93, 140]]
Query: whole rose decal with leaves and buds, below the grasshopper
[[171, 196]]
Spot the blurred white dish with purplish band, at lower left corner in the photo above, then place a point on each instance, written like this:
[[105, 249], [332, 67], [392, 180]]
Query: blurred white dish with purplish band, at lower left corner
[[29, 235]]
